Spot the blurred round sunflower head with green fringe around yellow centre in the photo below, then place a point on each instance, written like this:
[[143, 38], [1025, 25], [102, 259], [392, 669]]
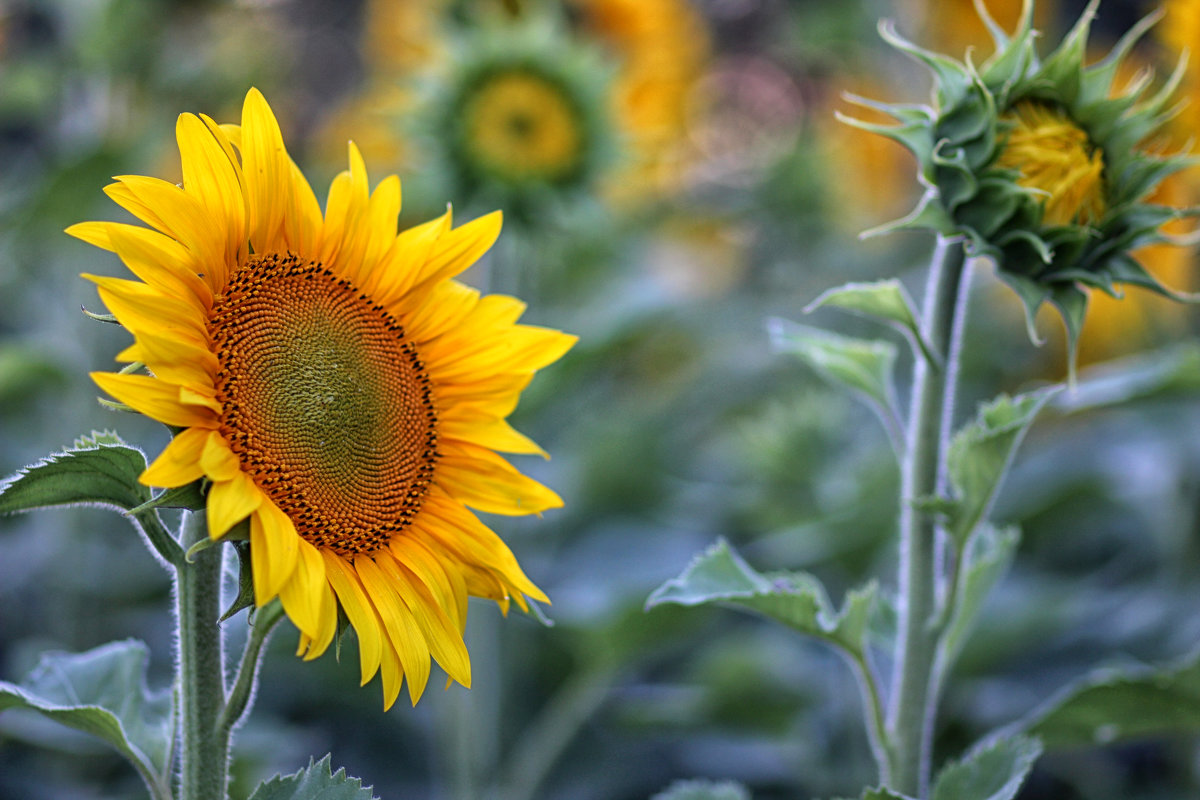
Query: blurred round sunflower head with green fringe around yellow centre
[[519, 118]]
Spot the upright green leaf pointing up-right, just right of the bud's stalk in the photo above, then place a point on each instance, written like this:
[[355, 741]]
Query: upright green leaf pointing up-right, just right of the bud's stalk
[[981, 453]]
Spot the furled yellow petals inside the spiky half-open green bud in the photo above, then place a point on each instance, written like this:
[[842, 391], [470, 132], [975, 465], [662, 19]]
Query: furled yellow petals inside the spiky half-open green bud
[[1055, 158]]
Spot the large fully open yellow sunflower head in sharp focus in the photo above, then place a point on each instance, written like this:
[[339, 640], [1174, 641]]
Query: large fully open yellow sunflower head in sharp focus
[[333, 383]]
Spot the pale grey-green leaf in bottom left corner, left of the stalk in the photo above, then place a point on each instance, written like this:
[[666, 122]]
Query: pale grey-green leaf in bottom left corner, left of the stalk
[[104, 693]]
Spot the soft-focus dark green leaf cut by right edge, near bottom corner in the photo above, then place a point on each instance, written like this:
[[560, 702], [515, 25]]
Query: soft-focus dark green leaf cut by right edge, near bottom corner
[[1119, 705]]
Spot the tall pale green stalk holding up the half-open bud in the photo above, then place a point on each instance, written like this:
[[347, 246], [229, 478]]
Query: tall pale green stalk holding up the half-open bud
[[911, 709]]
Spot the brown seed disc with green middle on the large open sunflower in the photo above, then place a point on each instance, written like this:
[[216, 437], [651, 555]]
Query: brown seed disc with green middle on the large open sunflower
[[326, 402]]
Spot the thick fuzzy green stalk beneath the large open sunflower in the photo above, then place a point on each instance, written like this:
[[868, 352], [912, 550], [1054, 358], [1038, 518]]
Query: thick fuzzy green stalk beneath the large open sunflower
[[201, 669]]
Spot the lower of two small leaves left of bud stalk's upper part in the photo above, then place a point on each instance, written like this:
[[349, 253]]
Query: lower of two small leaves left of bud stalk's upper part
[[865, 366]]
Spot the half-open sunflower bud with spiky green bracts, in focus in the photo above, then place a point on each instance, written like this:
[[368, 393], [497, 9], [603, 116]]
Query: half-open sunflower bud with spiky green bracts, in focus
[[1040, 165]]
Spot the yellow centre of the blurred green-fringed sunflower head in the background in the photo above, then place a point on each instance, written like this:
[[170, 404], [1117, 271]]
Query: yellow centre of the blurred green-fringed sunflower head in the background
[[520, 127]]
